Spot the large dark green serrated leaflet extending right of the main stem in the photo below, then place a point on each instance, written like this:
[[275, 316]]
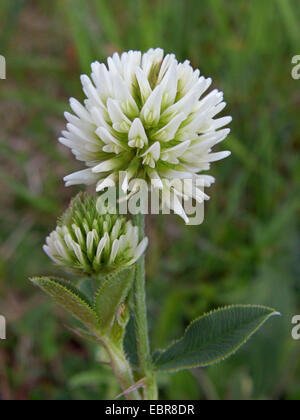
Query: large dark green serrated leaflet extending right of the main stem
[[213, 337]]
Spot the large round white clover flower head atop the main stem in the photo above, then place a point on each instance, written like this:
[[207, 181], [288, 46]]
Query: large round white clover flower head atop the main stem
[[147, 115]]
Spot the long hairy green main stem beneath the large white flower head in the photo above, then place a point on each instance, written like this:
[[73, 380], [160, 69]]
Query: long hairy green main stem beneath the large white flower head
[[141, 324]]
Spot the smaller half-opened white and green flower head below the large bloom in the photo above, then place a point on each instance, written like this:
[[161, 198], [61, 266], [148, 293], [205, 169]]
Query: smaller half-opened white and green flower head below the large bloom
[[89, 243]]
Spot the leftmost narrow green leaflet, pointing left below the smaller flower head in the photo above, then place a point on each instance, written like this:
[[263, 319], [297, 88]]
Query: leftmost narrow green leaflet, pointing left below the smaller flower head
[[70, 298]]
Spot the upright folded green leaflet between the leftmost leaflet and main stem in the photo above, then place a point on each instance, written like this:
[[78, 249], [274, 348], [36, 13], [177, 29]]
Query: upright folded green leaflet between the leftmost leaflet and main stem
[[111, 294]]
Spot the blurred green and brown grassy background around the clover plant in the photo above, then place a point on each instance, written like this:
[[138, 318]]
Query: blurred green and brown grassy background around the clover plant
[[247, 250]]
